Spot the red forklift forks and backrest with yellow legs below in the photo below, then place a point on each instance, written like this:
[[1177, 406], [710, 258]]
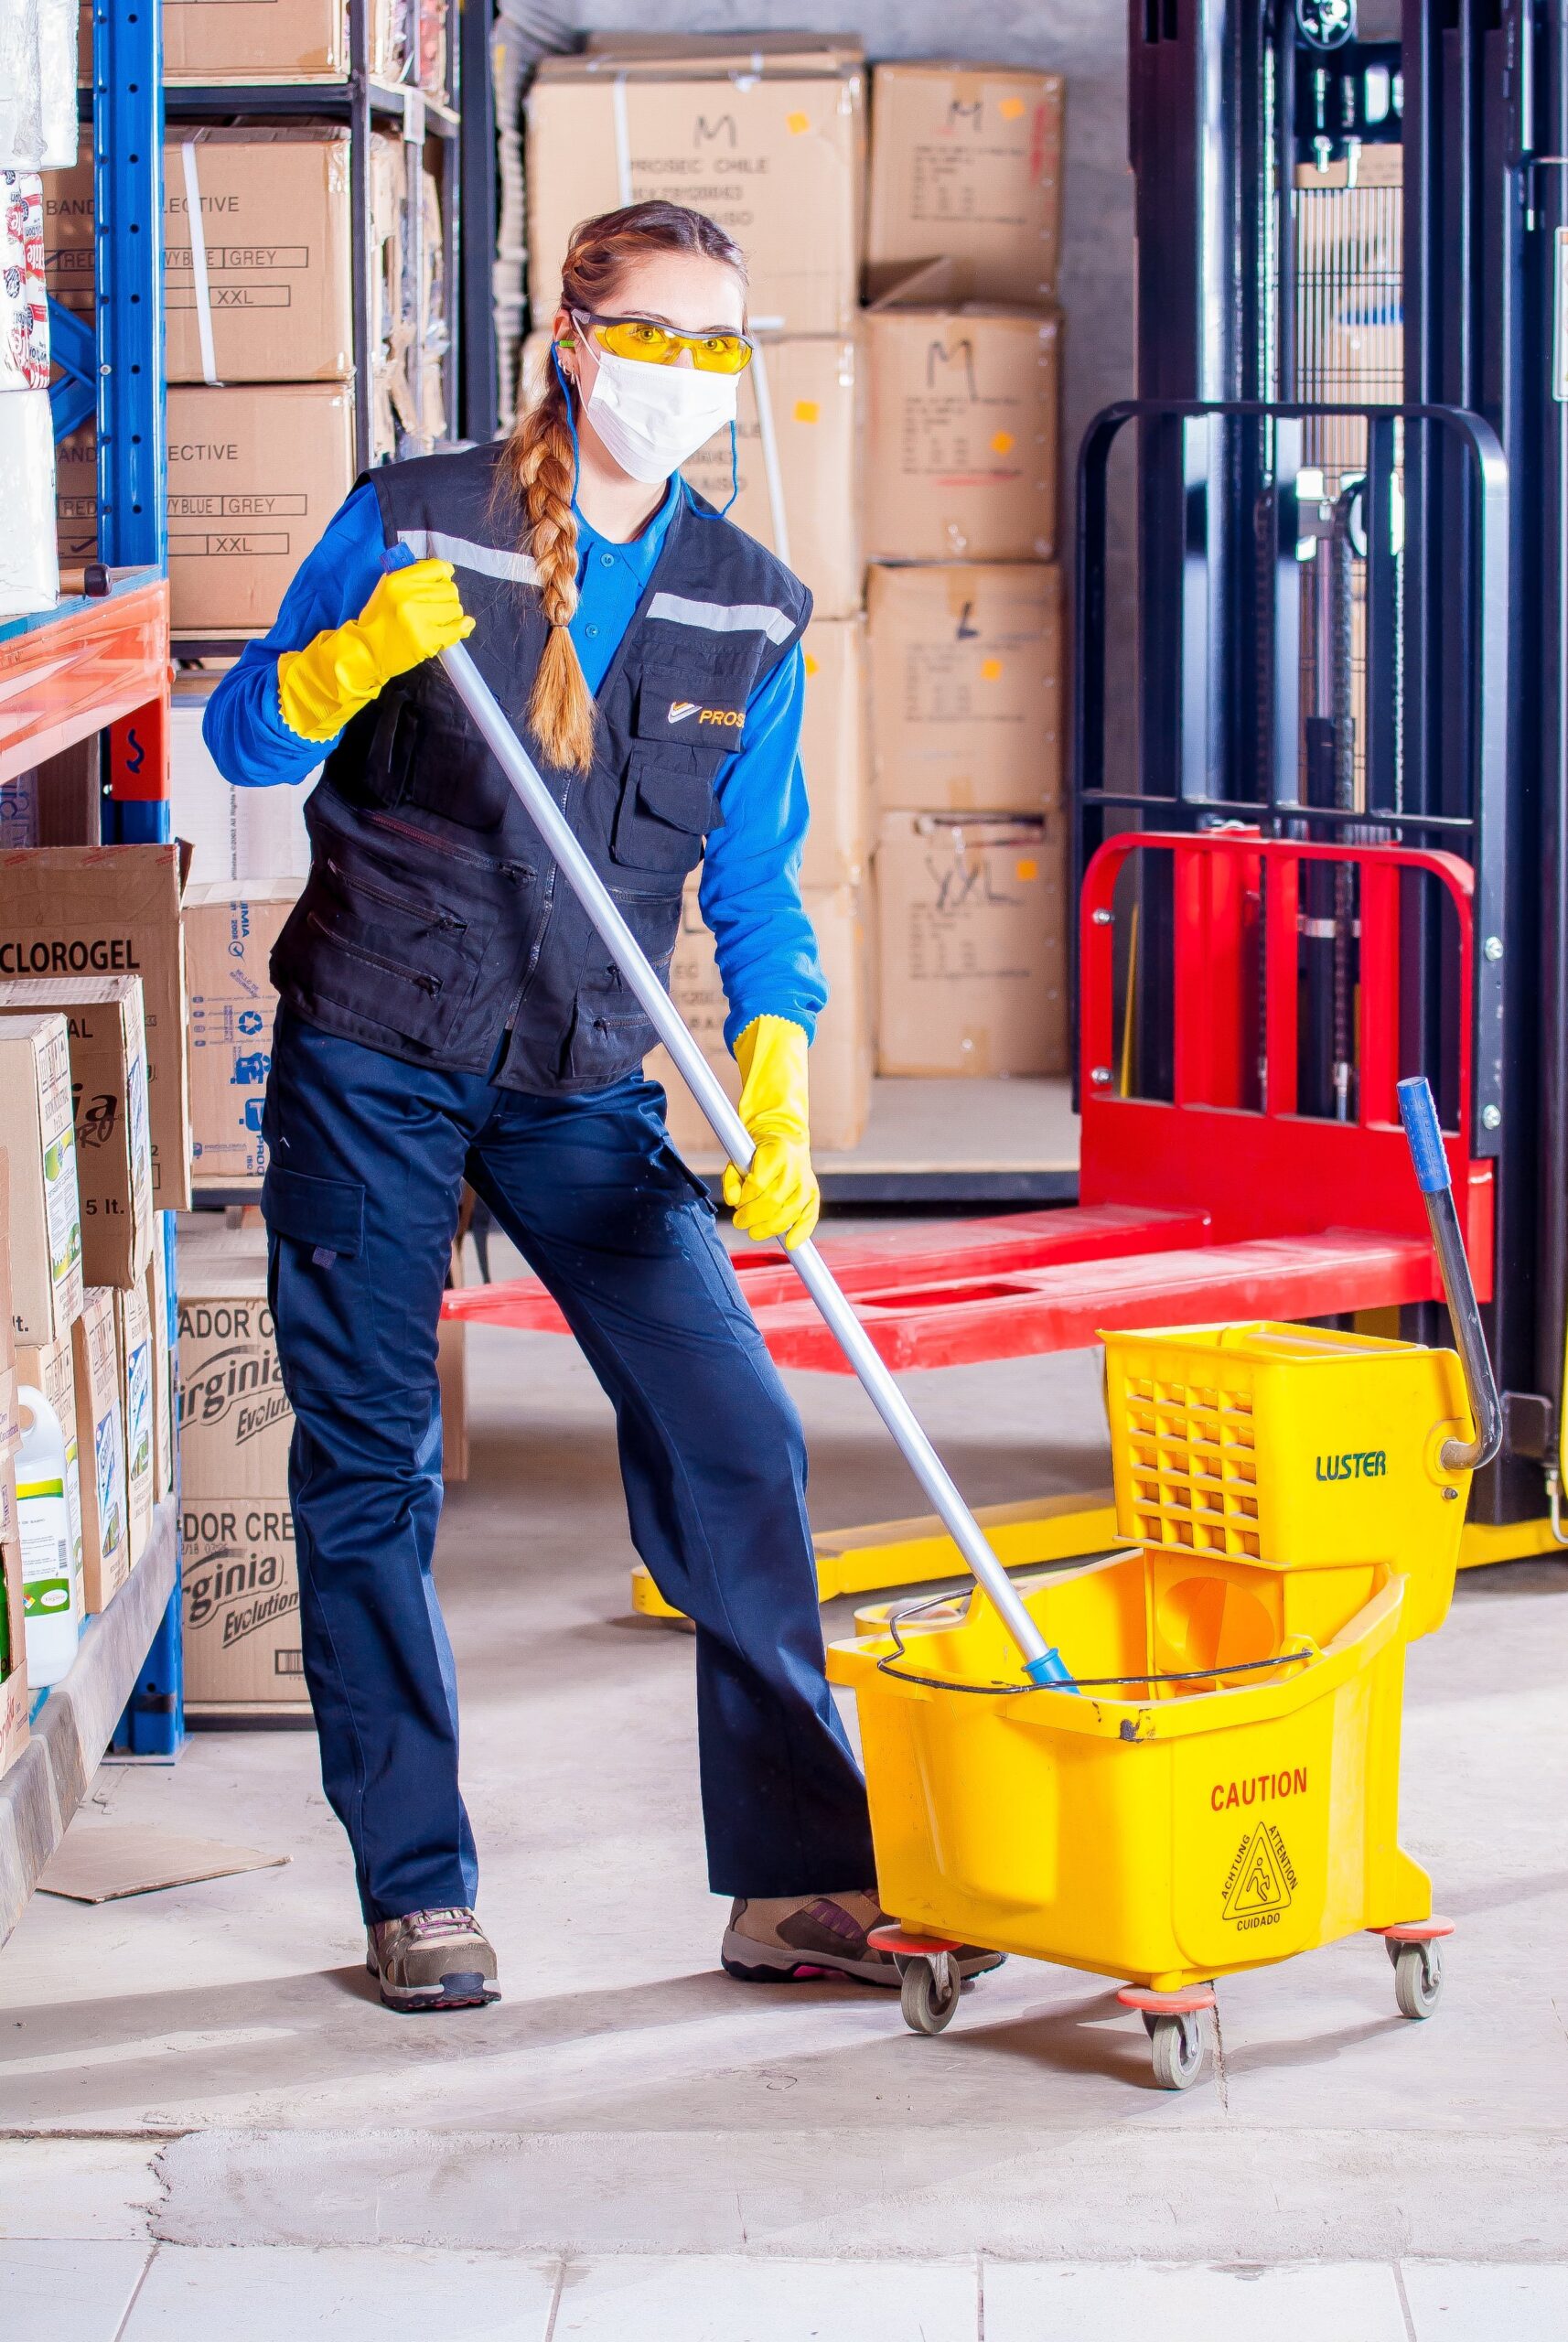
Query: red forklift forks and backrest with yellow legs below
[[1195, 1210]]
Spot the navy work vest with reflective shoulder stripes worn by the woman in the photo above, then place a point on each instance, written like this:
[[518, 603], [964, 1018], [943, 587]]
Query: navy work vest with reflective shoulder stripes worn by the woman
[[434, 922]]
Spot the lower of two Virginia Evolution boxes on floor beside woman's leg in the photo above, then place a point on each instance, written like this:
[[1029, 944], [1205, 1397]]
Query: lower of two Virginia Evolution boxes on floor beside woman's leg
[[242, 1603]]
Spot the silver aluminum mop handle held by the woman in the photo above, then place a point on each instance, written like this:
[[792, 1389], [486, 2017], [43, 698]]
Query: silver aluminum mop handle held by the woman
[[1040, 1664]]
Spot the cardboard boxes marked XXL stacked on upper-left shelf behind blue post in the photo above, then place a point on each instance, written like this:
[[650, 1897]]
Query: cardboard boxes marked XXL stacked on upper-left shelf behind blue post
[[259, 303]]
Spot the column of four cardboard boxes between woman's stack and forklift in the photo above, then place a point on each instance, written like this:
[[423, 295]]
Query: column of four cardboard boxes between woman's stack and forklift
[[965, 596]]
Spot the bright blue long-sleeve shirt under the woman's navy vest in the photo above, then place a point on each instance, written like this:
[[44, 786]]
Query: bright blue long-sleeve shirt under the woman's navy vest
[[750, 886]]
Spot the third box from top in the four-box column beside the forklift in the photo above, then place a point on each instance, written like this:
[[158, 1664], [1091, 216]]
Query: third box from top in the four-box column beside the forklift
[[965, 671]]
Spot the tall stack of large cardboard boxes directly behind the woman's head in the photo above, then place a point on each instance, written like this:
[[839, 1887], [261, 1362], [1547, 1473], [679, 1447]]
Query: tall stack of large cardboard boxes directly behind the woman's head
[[771, 139]]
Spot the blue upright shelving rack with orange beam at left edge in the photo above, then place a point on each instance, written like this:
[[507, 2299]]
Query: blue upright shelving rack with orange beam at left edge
[[99, 666]]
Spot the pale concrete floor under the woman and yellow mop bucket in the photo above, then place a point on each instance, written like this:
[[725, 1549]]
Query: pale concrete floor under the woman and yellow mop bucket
[[202, 2069]]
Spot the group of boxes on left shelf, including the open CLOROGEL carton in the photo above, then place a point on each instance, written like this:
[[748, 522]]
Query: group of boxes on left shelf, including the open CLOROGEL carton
[[95, 1149]]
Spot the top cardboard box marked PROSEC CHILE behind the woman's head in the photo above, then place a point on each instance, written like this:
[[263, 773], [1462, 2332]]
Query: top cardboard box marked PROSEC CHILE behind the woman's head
[[776, 156]]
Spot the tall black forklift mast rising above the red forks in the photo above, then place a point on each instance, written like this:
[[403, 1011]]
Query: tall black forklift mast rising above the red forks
[[1216, 123]]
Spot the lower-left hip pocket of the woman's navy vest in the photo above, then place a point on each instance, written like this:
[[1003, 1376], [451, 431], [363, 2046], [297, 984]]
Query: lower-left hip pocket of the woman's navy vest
[[366, 945]]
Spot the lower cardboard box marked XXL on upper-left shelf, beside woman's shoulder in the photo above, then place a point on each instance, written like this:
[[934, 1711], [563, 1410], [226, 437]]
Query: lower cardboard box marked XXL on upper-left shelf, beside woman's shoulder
[[254, 479]]
